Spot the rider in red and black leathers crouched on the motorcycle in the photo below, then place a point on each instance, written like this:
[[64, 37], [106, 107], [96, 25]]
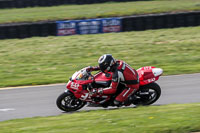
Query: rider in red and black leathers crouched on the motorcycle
[[122, 73]]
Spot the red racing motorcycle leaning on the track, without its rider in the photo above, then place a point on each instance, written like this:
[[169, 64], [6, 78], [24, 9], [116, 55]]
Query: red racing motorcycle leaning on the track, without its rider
[[77, 92]]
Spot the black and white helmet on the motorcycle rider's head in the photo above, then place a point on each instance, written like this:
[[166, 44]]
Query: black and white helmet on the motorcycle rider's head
[[106, 62]]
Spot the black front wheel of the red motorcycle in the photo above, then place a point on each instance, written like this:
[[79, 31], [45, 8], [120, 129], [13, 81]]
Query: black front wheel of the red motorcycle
[[68, 102]]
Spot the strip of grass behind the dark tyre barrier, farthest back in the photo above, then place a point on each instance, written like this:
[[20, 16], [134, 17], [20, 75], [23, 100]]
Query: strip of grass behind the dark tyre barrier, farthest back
[[68, 12]]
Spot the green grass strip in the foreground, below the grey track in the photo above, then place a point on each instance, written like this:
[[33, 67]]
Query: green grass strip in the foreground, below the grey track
[[152, 119]]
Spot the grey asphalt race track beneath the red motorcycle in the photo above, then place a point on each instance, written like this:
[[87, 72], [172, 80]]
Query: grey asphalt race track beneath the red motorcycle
[[23, 102]]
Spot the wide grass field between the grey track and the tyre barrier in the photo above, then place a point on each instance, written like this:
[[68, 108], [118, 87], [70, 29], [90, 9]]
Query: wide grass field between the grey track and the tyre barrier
[[54, 59]]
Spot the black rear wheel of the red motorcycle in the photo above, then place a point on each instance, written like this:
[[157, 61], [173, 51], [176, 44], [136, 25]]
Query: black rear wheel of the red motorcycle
[[147, 94]]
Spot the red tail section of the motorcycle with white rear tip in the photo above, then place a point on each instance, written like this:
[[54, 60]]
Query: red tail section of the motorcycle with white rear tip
[[149, 74]]
